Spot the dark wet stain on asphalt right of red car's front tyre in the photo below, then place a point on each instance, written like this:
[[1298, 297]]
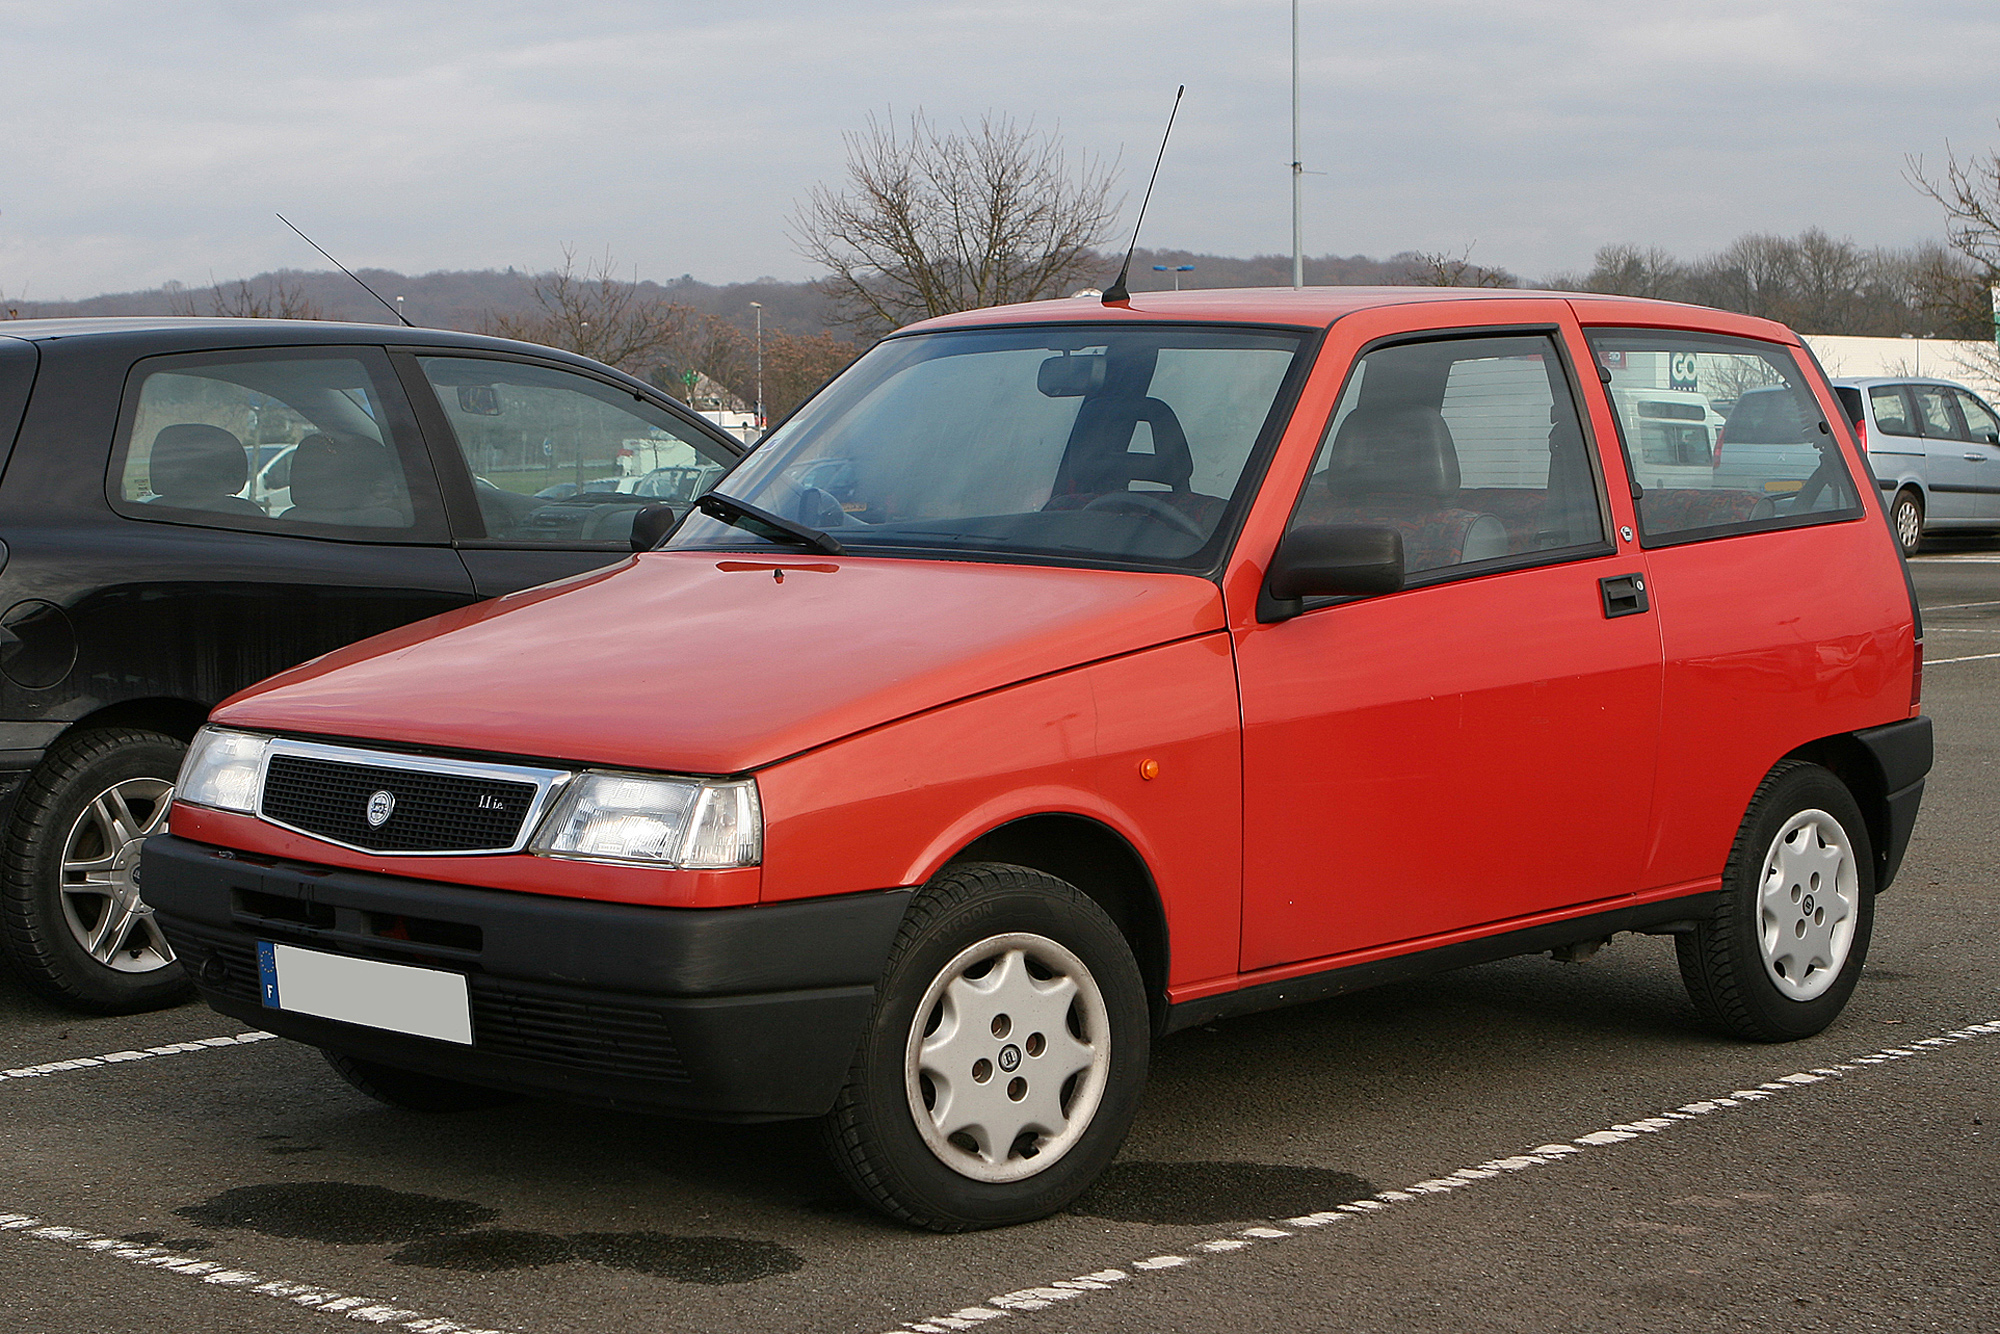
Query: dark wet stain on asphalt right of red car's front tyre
[[1211, 1193]]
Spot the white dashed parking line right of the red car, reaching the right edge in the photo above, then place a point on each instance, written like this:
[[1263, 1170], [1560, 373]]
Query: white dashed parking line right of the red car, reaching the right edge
[[1103, 1281]]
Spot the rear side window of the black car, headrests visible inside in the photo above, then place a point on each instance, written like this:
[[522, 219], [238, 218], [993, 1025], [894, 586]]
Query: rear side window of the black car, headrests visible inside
[[305, 443]]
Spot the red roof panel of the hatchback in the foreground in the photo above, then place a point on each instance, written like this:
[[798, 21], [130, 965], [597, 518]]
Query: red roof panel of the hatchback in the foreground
[[1319, 307]]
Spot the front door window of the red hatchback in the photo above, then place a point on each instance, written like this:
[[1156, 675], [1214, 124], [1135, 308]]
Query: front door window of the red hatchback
[[1471, 449]]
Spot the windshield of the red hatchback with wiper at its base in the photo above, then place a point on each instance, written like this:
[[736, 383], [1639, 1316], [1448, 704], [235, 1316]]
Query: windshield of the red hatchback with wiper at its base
[[1063, 443]]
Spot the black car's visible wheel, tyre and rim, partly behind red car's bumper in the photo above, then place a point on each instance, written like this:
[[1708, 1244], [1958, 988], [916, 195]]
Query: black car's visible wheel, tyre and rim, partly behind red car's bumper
[[75, 927]]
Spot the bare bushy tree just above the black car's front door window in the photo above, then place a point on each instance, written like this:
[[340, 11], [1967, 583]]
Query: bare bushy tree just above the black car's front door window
[[597, 315]]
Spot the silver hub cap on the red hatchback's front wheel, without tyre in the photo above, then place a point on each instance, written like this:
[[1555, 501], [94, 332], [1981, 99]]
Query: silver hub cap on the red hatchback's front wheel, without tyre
[[1007, 1057]]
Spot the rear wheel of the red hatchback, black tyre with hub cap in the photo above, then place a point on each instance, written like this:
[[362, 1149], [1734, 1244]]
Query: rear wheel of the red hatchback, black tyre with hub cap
[[1785, 947]]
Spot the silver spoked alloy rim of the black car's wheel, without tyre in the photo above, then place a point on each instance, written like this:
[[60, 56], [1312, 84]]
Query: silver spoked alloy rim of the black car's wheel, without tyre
[[101, 901]]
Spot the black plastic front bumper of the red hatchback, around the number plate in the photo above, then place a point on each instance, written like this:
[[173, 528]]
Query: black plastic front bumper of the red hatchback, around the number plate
[[733, 1013]]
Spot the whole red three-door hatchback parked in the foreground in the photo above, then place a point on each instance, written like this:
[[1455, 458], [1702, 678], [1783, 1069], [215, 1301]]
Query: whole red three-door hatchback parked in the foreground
[[1067, 675]]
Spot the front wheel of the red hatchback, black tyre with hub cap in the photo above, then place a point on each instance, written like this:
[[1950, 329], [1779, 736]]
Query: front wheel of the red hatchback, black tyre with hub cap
[[997, 971]]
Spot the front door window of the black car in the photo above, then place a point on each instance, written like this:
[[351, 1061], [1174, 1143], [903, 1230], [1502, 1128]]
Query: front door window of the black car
[[561, 459]]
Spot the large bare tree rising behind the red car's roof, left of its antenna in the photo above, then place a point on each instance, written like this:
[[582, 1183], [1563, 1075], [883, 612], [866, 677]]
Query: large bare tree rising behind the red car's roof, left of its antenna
[[937, 221]]
